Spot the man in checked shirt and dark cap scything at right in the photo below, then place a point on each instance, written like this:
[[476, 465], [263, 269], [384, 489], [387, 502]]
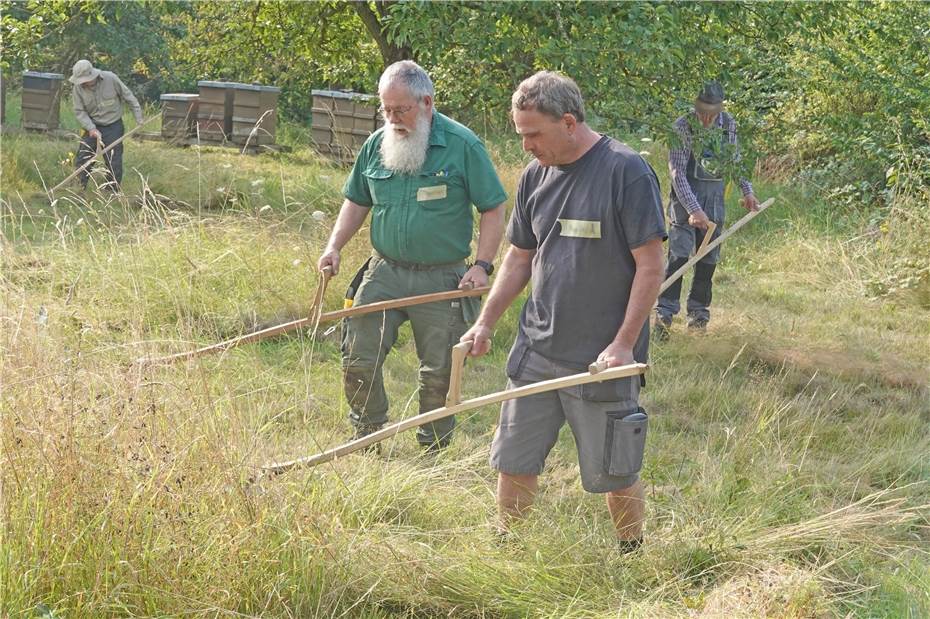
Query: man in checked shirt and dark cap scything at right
[[707, 144]]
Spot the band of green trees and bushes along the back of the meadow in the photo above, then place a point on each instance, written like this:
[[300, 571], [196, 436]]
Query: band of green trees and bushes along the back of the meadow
[[819, 83]]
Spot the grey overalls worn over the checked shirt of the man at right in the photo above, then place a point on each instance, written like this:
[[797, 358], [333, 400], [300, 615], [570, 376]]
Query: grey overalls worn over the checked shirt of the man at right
[[684, 239]]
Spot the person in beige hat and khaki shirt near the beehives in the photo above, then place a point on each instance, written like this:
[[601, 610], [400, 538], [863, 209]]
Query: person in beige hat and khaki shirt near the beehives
[[98, 98]]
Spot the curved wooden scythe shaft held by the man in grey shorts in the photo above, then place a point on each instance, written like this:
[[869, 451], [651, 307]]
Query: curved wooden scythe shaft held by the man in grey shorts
[[621, 371]]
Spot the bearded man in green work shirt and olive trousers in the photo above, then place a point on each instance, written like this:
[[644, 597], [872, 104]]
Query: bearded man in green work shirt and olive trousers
[[419, 176]]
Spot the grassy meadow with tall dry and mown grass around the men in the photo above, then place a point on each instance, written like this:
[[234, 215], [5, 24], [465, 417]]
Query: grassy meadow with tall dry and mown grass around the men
[[787, 469]]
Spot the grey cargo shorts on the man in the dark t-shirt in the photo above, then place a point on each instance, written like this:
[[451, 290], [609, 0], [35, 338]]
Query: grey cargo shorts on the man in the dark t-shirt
[[605, 419]]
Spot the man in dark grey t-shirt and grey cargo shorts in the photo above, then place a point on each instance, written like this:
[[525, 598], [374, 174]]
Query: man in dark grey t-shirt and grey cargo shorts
[[587, 228]]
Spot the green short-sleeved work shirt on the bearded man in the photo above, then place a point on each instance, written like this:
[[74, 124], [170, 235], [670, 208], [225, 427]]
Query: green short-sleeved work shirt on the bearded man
[[426, 218]]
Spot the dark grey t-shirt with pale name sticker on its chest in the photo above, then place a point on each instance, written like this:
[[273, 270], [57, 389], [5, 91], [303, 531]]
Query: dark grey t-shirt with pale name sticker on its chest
[[583, 219]]
